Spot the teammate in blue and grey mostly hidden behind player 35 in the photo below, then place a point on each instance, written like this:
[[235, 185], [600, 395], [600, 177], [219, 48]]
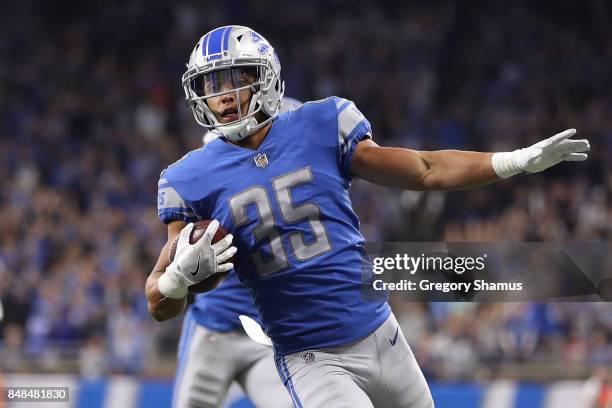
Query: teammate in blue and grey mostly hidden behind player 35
[[213, 350]]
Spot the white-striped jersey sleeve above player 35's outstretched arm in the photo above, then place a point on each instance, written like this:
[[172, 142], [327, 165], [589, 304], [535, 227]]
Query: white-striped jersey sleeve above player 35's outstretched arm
[[353, 127]]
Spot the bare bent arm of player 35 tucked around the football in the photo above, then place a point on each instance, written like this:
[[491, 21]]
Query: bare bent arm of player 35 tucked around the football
[[161, 307]]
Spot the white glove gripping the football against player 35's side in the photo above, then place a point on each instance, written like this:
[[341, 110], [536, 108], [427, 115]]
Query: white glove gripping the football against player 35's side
[[194, 263]]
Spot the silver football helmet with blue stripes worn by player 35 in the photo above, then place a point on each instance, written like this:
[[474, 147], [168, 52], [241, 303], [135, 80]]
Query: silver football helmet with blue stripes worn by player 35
[[227, 60]]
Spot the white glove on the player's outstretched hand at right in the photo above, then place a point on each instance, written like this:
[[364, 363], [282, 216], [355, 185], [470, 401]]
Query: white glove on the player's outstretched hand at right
[[541, 155]]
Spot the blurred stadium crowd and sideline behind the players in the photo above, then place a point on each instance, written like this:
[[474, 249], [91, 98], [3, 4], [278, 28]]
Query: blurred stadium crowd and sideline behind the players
[[91, 110]]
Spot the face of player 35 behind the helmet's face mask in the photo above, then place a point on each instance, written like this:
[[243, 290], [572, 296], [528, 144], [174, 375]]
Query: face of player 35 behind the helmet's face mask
[[225, 105]]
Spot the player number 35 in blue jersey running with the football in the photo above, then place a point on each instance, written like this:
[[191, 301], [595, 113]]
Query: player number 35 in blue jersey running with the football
[[280, 184]]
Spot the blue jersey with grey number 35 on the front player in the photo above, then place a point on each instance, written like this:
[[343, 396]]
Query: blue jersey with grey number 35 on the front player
[[287, 205]]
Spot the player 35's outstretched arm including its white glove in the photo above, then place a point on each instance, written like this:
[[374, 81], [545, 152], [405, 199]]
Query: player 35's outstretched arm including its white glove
[[457, 170]]
